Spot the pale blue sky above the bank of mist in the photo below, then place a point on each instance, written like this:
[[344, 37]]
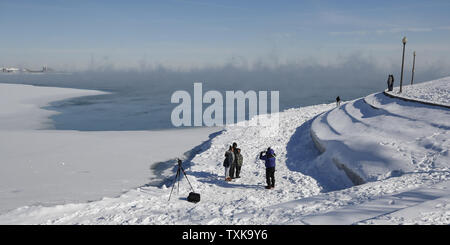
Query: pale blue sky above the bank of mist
[[184, 33]]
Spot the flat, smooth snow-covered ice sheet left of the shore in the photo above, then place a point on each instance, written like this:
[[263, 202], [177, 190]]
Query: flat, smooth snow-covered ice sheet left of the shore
[[47, 167]]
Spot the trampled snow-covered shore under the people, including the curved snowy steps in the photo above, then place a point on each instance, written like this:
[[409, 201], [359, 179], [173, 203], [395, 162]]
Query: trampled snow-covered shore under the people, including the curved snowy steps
[[398, 149]]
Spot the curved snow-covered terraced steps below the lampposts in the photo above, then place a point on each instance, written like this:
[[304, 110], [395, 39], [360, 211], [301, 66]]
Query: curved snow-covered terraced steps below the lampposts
[[377, 137]]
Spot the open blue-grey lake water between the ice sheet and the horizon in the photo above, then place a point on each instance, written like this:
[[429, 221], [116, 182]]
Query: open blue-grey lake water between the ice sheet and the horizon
[[141, 101]]
